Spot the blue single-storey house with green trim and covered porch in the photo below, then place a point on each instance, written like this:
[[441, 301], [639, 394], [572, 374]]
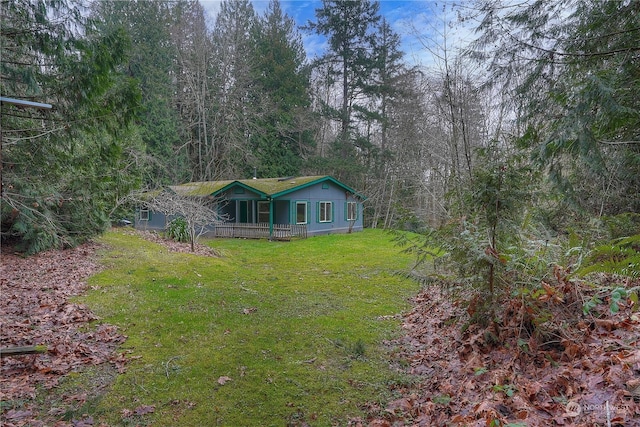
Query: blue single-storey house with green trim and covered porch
[[274, 208]]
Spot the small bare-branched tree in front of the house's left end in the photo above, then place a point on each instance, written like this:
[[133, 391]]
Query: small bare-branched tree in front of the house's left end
[[193, 213]]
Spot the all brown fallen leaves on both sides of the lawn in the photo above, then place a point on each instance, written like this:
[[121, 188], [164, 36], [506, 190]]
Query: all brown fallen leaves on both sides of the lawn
[[551, 364]]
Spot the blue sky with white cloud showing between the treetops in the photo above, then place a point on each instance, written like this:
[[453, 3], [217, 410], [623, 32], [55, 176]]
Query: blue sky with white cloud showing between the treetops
[[424, 25]]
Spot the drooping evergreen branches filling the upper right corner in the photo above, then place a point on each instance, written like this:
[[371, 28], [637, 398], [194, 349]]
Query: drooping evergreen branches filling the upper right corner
[[573, 70]]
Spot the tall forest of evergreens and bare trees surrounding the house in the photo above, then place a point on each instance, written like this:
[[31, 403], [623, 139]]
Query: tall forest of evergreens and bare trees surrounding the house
[[534, 125]]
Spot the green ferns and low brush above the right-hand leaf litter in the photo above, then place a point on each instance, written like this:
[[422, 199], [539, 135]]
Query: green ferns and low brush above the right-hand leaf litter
[[546, 286]]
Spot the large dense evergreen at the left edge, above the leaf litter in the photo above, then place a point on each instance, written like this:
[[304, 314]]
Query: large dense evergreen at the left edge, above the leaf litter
[[64, 169]]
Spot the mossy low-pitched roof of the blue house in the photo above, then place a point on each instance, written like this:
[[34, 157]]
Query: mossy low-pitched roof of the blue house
[[265, 187]]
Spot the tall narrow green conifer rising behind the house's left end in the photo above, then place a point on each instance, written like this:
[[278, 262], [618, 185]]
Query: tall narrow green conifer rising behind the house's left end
[[152, 62]]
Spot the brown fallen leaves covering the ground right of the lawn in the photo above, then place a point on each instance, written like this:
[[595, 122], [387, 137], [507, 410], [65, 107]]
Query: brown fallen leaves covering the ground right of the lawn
[[552, 363]]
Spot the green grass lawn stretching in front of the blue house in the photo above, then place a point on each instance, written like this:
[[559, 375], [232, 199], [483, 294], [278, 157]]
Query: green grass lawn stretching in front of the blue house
[[299, 327]]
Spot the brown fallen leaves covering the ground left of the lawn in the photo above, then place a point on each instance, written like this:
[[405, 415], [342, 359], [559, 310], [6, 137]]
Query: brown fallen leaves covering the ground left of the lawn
[[36, 310]]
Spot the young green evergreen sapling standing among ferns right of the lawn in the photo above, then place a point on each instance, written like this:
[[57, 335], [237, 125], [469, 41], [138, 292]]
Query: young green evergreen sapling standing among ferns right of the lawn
[[488, 243]]
